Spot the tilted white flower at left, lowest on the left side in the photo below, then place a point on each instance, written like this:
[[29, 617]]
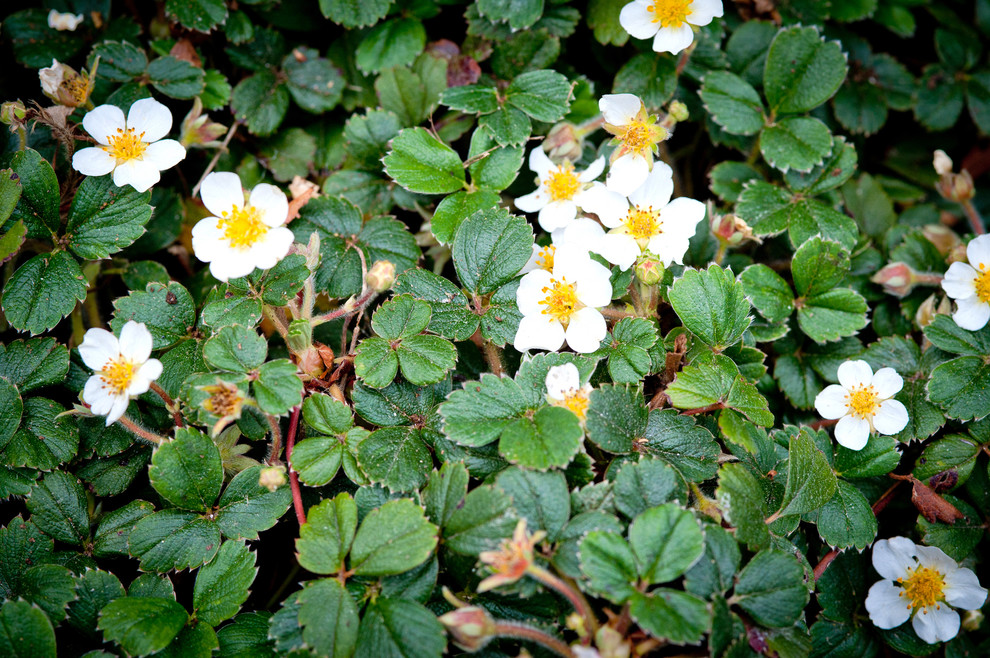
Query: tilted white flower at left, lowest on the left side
[[122, 368]]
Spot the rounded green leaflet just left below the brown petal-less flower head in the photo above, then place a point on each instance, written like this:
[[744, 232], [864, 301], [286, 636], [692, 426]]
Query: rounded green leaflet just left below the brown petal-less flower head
[[187, 471]]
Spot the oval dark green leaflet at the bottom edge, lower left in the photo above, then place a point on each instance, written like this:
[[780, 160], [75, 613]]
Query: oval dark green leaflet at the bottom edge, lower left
[[142, 625]]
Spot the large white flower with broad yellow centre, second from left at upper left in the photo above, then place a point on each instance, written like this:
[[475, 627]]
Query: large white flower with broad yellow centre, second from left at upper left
[[241, 236]]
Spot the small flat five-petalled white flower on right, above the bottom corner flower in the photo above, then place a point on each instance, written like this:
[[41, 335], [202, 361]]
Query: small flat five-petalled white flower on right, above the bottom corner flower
[[862, 403]]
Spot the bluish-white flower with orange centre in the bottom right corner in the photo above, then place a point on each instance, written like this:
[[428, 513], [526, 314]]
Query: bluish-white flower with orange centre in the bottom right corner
[[921, 583]]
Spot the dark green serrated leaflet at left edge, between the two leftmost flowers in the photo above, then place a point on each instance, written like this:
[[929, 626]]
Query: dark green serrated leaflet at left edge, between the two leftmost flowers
[[42, 291]]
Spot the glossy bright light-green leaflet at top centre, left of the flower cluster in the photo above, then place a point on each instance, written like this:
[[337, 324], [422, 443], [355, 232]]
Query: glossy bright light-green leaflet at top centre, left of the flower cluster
[[421, 163]]
